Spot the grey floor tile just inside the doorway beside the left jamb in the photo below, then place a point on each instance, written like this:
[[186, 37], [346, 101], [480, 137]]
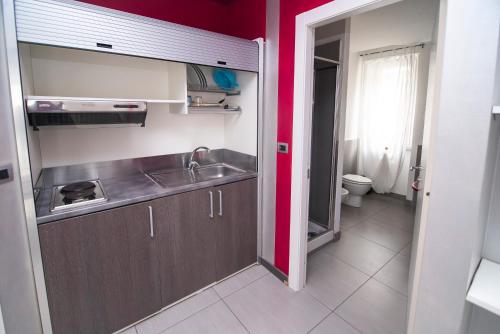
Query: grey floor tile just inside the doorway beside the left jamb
[[330, 280]]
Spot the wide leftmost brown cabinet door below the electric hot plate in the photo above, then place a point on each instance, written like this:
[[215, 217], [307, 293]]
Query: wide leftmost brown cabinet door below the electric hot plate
[[101, 270]]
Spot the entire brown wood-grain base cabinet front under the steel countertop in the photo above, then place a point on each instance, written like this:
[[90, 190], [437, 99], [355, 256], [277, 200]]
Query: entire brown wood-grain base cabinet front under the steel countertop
[[109, 269]]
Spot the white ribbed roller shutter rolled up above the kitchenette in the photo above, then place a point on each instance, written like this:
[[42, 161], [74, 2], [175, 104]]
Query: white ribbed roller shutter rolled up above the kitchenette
[[83, 26]]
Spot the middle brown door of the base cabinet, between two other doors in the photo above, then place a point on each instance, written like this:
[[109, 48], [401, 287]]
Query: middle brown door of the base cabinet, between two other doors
[[187, 242]]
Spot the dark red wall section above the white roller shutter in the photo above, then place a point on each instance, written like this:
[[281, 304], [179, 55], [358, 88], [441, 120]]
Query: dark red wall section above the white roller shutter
[[240, 18]]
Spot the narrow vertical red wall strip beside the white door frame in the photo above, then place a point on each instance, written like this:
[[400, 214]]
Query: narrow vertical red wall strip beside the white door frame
[[288, 10]]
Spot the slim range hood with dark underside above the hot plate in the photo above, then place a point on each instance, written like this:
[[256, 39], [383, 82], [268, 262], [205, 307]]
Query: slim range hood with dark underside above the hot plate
[[49, 111]]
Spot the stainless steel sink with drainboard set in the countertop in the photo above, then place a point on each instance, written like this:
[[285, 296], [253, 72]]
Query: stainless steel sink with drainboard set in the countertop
[[182, 177]]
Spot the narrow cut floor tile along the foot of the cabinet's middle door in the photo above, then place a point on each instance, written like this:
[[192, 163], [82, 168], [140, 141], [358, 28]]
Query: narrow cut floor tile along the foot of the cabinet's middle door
[[177, 313]]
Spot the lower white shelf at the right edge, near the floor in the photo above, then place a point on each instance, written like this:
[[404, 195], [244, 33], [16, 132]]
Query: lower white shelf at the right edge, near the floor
[[485, 287]]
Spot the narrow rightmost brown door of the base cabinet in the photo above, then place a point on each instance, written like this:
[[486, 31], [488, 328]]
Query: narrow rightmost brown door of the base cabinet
[[236, 226]]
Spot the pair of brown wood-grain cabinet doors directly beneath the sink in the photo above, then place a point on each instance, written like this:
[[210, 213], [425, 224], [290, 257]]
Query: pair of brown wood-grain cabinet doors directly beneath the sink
[[206, 235]]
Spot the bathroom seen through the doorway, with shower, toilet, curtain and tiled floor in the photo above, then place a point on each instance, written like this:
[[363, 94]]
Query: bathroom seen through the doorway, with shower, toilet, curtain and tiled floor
[[364, 177]]
